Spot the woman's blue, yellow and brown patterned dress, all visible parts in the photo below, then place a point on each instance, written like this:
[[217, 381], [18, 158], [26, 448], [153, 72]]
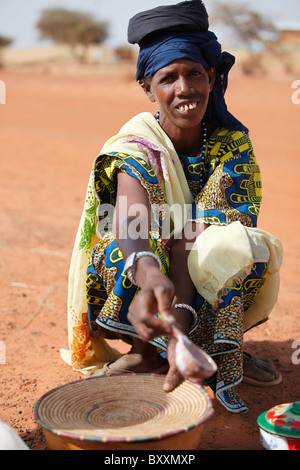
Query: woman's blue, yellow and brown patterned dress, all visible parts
[[231, 192]]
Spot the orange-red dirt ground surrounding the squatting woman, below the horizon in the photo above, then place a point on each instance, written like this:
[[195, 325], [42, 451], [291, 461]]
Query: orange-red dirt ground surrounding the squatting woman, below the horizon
[[52, 126]]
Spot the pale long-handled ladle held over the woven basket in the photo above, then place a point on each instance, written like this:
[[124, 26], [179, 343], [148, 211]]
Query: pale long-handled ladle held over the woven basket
[[192, 362]]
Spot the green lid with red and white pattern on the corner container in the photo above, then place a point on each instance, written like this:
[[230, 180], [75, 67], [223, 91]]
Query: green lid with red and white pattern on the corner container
[[283, 420]]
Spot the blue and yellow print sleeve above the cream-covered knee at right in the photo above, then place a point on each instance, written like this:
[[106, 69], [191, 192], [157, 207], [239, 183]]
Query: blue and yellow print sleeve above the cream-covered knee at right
[[233, 188]]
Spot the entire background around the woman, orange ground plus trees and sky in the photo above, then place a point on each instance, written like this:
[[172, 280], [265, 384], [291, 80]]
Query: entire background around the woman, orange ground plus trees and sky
[[67, 84]]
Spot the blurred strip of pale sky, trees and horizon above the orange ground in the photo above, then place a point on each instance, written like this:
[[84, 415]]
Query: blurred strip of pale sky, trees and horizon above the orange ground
[[95, 31]]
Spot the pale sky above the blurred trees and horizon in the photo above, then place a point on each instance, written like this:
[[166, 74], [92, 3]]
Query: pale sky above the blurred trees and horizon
[[18, 17]]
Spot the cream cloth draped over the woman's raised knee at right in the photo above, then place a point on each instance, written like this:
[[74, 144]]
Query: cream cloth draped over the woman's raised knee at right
[[224, 255]]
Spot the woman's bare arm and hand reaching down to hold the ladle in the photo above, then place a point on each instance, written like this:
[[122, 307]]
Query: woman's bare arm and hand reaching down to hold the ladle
[[131, 227]]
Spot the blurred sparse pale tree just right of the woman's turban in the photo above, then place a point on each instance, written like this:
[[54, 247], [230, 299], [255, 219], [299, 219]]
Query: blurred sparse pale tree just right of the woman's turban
[[249, 29]]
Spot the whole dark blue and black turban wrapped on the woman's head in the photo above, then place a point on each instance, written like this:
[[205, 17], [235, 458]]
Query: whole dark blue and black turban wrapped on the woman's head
[[180, 31]]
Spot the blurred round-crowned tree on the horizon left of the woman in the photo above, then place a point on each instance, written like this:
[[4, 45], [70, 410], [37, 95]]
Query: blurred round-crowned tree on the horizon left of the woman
[[72, 28]]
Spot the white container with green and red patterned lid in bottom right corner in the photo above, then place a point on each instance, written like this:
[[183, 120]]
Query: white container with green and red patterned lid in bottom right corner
[[280, 427]]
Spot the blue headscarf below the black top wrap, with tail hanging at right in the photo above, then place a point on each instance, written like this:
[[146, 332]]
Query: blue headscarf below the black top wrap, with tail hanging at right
[[160, 49]]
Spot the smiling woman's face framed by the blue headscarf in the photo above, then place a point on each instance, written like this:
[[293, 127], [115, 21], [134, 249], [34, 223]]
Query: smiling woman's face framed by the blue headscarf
[[181, 90]]
